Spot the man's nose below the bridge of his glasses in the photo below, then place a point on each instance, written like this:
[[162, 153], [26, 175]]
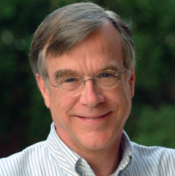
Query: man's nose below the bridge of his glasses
[[90, 96]]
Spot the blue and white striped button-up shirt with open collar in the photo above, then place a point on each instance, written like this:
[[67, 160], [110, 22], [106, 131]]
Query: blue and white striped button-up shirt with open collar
[[53, 158]]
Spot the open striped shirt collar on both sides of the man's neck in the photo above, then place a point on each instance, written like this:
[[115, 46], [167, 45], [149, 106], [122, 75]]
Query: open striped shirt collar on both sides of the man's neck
[[69, 159]]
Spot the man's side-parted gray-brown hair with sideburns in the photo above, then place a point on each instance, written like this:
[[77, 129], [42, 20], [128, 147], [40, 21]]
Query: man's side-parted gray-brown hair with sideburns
[[69, 25]]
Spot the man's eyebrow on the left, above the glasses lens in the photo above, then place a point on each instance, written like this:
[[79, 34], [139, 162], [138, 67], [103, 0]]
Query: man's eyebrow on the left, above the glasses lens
[[64, 73]]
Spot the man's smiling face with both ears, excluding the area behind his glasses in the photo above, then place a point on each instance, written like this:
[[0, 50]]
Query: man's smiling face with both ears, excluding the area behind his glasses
[[95, 118]]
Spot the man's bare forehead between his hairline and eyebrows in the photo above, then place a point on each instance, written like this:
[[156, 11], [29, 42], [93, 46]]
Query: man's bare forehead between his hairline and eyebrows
[[100, 48]]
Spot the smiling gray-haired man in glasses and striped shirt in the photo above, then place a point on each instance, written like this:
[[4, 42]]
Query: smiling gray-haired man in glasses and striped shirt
[[83, 60]]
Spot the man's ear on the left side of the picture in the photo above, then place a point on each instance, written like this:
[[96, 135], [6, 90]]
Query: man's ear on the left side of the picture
[[44, 91]]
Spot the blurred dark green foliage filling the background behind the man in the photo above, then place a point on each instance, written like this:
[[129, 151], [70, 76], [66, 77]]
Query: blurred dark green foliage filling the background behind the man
[[25, 119]]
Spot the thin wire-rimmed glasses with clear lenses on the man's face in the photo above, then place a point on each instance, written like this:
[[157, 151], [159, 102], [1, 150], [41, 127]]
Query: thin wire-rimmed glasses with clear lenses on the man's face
[[73, 86]]
